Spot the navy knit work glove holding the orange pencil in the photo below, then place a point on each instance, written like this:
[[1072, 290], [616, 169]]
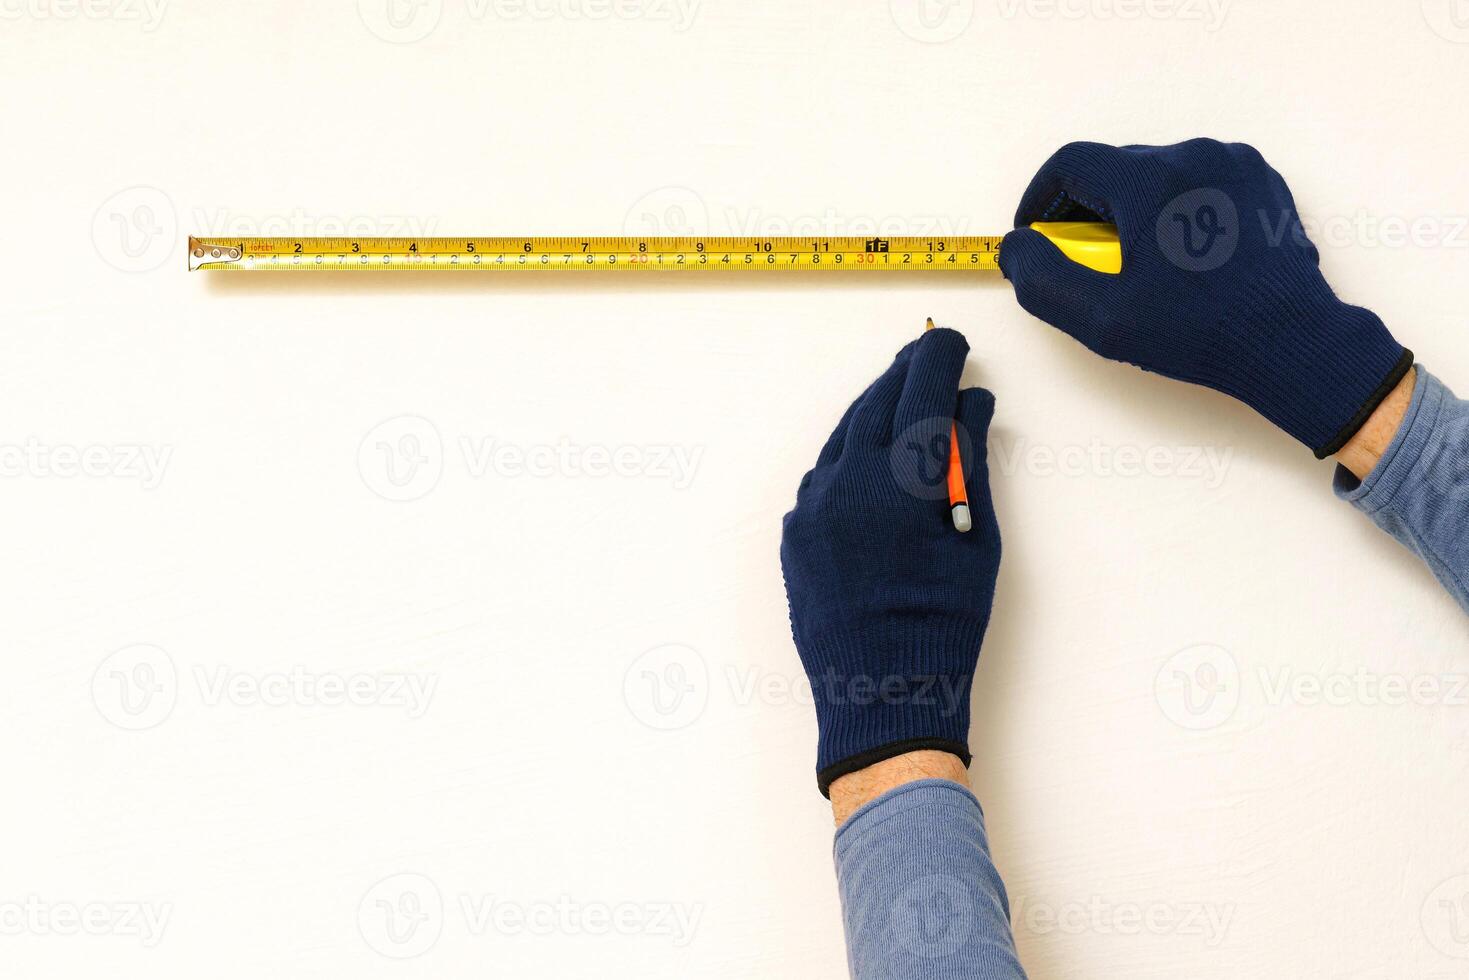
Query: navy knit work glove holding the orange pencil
[[888, 602]]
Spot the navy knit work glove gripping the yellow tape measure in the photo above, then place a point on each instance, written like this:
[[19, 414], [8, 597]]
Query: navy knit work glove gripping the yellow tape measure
[[1220, 284]]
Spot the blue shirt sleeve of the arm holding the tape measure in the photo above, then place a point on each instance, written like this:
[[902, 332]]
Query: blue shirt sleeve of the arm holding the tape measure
[[1420, 490]]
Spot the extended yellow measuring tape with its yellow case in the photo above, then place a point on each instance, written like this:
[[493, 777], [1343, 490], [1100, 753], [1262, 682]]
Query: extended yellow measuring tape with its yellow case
[[1092, 245]]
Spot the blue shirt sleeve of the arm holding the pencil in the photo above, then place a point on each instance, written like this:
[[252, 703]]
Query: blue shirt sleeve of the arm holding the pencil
[[920, 894]]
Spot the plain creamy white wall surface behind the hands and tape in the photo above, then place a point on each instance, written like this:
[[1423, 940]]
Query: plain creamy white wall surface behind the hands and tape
[[1282, 835]]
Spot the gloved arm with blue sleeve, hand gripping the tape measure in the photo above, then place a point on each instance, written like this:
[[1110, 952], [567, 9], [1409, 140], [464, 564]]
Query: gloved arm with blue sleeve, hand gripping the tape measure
[[1220, 287]]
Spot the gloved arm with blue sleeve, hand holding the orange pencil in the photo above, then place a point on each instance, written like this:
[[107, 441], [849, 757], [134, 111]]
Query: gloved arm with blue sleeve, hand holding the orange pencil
[[888, 609]]
